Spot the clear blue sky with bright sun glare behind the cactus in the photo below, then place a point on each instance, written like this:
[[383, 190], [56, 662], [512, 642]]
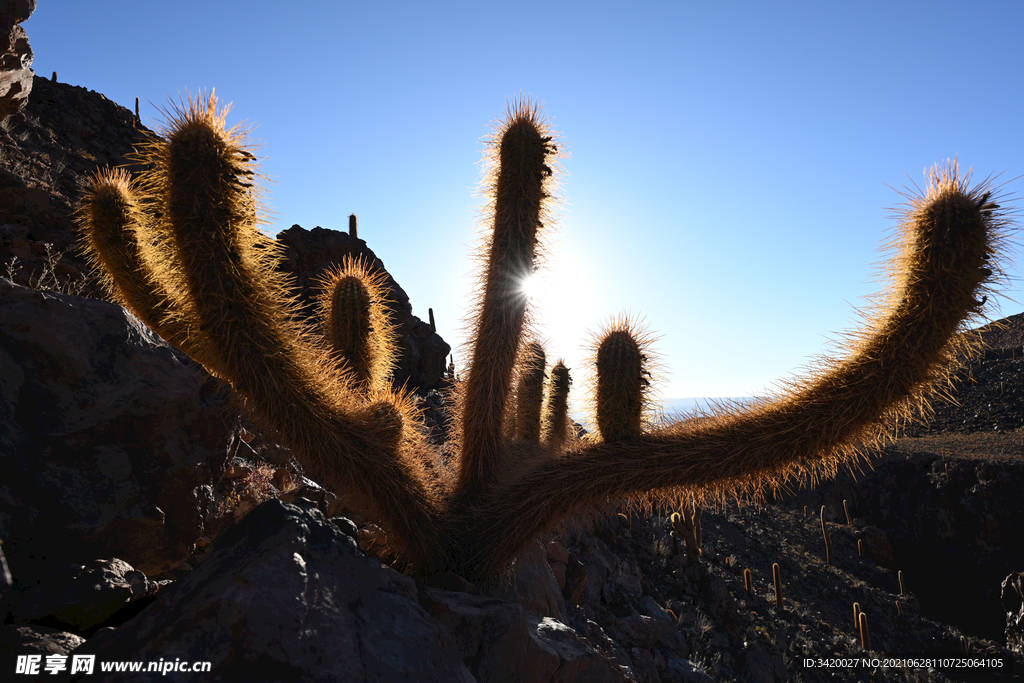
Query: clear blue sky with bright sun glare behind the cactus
[[730, 160]]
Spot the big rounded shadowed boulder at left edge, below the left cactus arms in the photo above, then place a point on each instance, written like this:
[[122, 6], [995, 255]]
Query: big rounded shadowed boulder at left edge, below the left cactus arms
[[111, 441]]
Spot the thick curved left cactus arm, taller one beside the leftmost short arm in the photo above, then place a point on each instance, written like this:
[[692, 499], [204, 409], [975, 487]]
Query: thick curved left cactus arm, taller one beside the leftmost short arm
[[247, 333]]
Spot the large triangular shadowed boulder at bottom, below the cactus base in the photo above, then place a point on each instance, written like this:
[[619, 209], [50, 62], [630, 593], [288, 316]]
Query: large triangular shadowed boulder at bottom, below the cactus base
[[285, 595]]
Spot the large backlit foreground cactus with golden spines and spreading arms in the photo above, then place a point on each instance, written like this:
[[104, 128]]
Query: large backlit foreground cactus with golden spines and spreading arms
[[214, 291]]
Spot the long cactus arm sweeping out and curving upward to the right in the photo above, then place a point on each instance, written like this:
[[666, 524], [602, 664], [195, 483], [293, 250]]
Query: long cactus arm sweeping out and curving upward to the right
[[906, 356]]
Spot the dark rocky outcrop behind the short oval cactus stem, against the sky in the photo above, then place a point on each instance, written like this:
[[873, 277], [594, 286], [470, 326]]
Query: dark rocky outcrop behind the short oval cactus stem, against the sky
[[423, 355]]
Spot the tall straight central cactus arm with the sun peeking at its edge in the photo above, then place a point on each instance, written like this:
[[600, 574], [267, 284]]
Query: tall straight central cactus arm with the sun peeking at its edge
[[520, 187]]
